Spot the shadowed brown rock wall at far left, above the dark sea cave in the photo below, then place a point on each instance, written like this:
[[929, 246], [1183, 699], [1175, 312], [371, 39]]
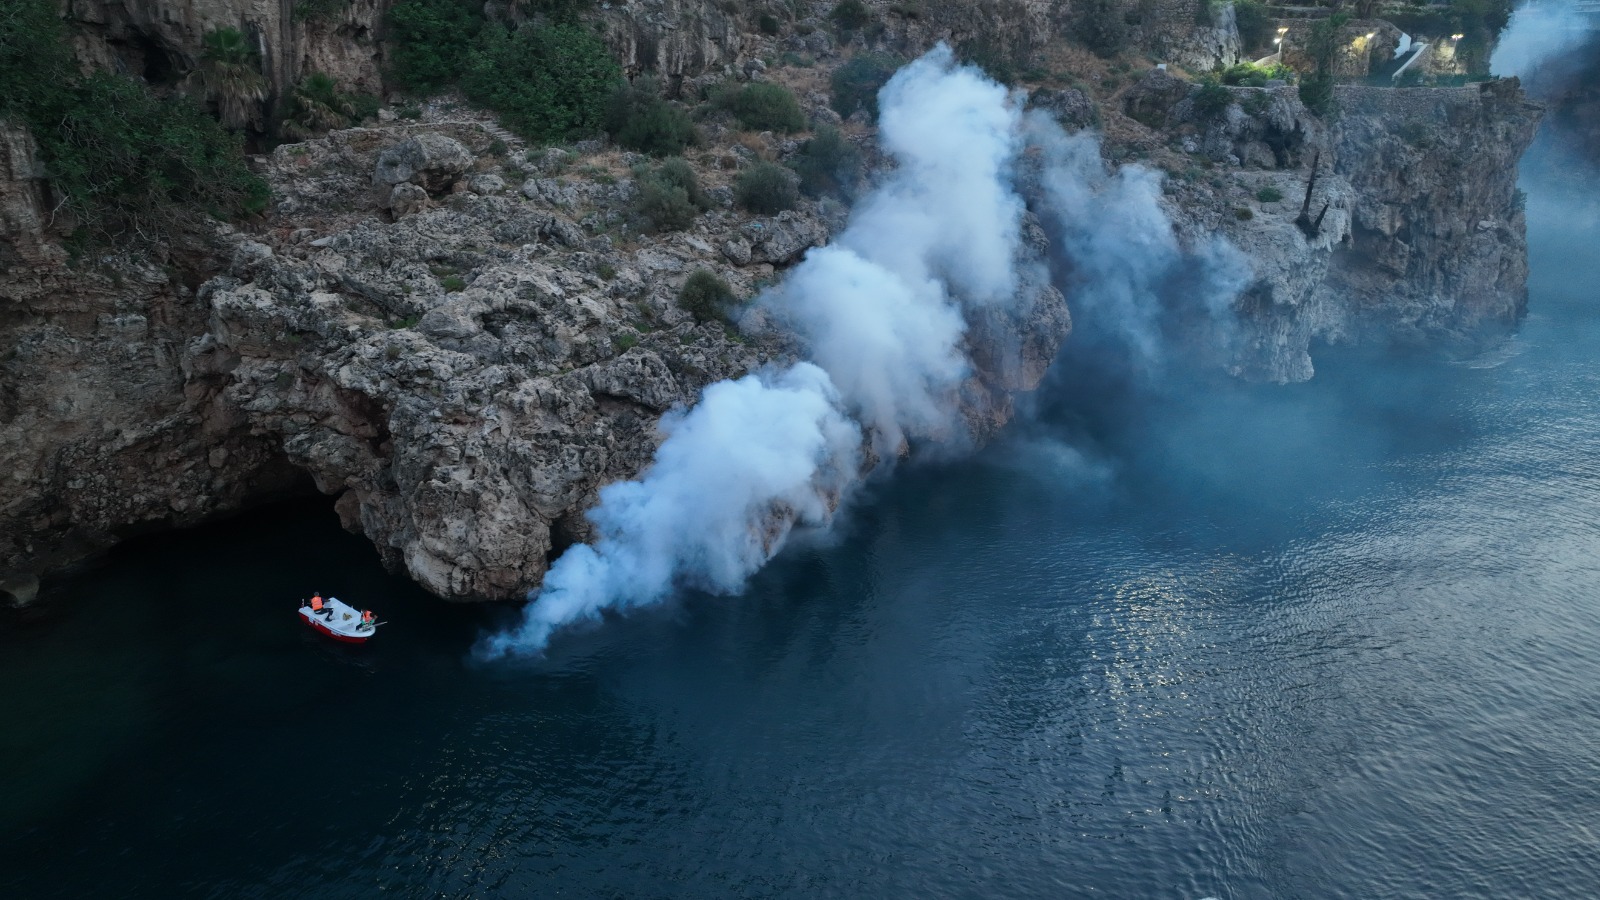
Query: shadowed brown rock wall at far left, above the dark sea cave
[[102, 432]]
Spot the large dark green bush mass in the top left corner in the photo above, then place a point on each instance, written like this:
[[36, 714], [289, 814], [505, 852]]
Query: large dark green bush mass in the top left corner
[[124, 163]]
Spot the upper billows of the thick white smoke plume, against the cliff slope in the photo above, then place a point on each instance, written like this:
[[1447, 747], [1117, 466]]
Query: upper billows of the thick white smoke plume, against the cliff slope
[[876, 308]]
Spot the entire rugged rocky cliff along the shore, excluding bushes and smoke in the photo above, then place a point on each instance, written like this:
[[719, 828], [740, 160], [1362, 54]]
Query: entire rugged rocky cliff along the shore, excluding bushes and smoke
[[465, 352]]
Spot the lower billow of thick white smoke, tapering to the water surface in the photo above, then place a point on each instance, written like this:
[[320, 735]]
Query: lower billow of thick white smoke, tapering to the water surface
[[703, 513]]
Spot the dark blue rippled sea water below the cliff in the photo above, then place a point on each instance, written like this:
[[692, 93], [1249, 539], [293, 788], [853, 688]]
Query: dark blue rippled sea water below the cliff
[[1340, 640]]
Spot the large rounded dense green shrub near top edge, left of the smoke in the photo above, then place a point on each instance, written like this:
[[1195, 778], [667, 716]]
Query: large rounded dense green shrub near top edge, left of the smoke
[[546, 82]]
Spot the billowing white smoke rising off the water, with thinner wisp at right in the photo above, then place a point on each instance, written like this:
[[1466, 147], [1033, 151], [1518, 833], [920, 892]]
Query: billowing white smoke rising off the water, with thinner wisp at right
[[881, 316]]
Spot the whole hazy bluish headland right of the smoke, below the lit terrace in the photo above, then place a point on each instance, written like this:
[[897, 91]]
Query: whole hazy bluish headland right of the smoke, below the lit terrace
[[1414, 228]]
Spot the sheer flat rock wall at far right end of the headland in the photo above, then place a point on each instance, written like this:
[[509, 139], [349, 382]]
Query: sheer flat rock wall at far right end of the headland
[[1439, 239]]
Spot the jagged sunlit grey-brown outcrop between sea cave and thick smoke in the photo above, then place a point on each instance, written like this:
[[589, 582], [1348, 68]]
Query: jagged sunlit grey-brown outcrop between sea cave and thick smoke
[[468, 377]]
